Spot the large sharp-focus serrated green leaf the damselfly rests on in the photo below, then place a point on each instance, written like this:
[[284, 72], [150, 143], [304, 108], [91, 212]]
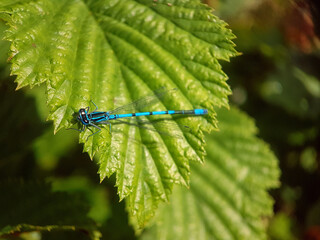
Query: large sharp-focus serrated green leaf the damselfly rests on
[[115, 51]]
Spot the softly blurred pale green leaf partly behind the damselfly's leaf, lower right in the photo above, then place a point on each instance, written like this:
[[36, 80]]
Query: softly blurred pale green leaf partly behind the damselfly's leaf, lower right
[[227, 197]]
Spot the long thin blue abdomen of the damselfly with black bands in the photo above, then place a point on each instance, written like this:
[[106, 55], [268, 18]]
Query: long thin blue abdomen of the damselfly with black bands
[[170, 112]]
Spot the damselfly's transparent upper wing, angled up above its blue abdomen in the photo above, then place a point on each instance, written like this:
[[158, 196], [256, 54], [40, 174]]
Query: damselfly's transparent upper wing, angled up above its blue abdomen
[[141, 103]]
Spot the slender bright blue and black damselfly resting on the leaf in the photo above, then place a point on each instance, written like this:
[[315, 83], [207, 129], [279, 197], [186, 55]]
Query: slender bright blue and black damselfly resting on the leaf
[[94, 118]]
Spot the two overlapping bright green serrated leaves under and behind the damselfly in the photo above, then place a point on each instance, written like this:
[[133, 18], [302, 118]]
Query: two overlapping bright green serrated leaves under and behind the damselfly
[[115, 51]]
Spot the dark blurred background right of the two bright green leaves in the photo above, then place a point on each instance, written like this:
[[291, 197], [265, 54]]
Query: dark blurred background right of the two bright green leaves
[[276, 81]]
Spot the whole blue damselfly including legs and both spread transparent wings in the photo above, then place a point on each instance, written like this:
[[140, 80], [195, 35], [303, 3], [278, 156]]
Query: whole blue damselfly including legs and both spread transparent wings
[[135, 110]]
